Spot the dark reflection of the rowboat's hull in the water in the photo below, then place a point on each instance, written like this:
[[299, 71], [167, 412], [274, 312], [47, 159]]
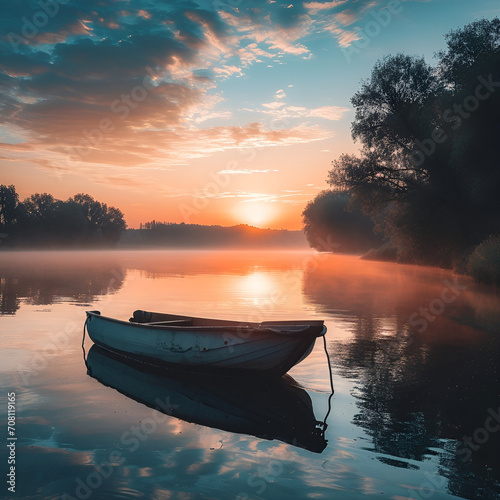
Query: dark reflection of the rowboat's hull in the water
[[269, 409]]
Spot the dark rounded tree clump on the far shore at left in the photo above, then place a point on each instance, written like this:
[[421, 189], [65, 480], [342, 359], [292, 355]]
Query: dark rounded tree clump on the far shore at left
[[42, 220]]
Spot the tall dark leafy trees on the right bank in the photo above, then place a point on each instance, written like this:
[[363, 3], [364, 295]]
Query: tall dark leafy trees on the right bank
[[427, 177]]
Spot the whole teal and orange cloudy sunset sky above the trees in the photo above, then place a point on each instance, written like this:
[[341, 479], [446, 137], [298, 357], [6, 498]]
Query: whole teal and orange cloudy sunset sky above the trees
[[209, 112]]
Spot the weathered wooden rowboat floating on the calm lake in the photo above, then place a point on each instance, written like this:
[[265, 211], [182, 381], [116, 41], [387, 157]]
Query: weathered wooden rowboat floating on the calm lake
[[269, 348]]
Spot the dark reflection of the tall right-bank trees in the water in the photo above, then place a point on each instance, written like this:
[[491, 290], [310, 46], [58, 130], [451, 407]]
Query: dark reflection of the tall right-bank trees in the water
[[418, 390]]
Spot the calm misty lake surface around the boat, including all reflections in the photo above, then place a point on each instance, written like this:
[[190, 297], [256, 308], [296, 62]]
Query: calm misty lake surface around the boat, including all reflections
[[415, 355]]
